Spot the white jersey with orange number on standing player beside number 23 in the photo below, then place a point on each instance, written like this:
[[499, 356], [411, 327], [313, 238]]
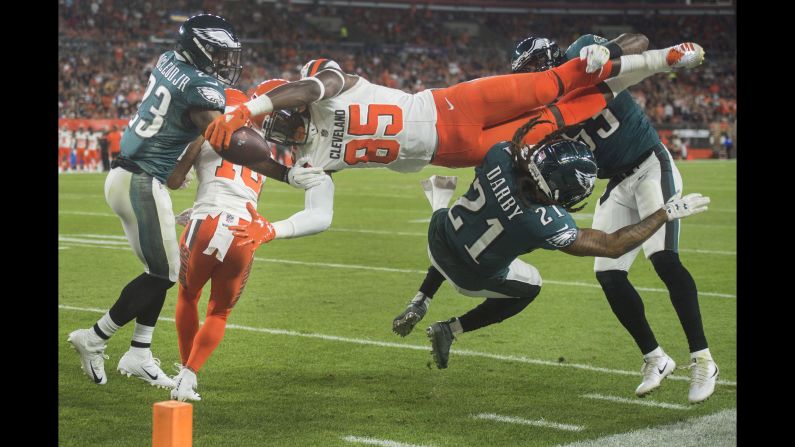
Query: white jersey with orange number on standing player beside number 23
[[223, 186]]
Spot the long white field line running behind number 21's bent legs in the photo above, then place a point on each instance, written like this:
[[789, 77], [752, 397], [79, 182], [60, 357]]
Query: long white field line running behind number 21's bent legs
[[118, 245]]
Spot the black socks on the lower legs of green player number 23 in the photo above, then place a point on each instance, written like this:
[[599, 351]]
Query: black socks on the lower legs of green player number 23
[[137, 296]]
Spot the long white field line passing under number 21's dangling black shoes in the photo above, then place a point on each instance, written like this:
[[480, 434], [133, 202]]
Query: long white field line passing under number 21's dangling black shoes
[[384, 344]]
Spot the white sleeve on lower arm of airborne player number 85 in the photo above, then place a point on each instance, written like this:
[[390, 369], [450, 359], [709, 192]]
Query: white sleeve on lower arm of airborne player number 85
[[316, 215]]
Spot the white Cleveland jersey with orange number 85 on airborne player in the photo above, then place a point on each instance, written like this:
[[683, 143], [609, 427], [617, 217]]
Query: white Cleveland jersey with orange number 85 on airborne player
[[371, 126]]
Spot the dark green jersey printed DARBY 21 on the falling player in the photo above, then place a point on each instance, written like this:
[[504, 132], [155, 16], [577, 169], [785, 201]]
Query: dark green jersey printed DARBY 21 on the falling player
[[489, 226]]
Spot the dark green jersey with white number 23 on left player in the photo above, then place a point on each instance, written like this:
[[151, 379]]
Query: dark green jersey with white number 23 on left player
[[162, 129]]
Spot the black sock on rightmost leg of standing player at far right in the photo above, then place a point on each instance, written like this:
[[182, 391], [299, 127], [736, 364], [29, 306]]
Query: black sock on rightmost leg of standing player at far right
[[684, 296]]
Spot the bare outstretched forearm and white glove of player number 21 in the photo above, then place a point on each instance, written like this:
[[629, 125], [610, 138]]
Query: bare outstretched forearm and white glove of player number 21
[[591, 242]]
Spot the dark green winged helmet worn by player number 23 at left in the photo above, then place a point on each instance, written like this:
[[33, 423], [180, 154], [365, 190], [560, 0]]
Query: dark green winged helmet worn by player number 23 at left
[[210, 44]]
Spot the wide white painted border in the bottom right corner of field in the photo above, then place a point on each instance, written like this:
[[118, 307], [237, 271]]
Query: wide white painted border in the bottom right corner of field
[[715, 429]]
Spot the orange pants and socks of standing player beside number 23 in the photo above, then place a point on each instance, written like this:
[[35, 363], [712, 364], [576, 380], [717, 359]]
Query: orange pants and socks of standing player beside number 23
[[229, 278]]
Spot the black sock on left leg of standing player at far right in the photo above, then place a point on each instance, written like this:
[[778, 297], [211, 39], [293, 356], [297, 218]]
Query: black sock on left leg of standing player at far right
[[628, 307]]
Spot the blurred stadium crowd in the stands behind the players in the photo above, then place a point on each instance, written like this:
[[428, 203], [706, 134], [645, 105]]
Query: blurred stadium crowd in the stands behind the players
[[107, 48]]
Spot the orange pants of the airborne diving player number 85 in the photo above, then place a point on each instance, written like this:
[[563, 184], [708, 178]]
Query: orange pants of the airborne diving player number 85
[[472, 116]]
